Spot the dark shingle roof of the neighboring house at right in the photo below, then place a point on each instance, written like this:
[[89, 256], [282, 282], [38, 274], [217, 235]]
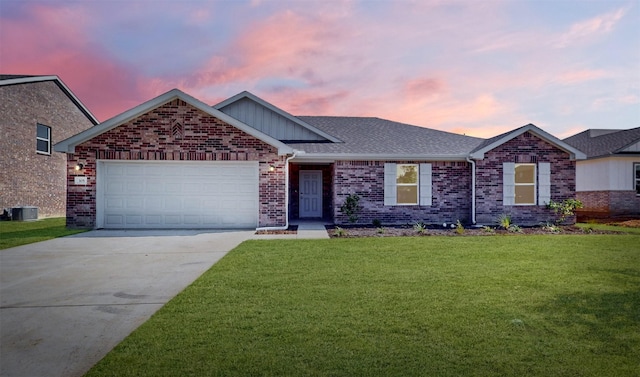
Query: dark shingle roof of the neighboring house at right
[[601, 143]]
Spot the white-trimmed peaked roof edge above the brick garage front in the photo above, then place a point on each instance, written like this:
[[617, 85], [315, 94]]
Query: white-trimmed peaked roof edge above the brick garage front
[[69, 144]]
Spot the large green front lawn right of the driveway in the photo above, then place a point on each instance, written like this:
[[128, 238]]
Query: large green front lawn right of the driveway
[[561, 305]]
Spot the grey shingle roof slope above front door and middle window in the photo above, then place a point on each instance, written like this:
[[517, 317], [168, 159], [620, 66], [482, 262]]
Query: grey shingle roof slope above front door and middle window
[[367, 136]]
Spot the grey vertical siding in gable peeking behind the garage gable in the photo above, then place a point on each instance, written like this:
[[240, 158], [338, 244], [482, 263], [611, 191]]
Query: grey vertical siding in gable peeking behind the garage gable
[[268, 121]]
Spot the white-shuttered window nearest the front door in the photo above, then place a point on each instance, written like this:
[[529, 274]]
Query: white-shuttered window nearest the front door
[[407, 184]]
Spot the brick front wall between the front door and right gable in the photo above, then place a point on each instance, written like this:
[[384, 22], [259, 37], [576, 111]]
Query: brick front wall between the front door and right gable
[[451, 188]]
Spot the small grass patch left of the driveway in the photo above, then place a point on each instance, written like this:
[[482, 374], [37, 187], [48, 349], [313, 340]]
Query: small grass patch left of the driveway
[[16, 233]]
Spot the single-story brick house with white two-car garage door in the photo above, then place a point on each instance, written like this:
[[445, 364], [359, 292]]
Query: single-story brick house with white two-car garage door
[[176, 162]]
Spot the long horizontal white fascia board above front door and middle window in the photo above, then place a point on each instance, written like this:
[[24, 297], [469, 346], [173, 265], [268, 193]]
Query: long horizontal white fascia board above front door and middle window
[[330, 157]]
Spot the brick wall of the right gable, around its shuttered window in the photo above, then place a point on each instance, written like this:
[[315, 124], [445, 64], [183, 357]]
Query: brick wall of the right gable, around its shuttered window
[[525, 148]]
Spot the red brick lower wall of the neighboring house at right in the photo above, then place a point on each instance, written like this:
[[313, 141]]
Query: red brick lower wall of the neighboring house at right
[[608, 203]]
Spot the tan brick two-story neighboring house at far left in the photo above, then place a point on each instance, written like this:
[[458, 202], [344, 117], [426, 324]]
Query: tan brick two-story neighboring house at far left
[[35, 113]]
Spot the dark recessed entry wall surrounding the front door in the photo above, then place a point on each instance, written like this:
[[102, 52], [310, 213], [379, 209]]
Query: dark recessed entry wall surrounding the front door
[[327, 193]]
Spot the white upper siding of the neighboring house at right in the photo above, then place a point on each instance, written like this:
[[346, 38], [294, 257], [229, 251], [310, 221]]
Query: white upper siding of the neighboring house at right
[[605, 174]]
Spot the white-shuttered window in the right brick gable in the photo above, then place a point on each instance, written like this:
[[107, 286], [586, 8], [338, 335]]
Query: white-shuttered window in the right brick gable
[[526, 184]]
